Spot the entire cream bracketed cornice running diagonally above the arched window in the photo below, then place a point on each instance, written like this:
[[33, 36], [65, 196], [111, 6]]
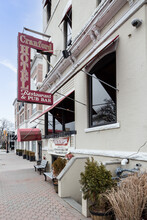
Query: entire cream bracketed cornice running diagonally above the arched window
[[98, 20]]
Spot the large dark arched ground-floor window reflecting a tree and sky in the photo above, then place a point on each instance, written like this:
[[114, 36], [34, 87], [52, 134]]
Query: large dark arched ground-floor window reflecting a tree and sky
[[102, 97]]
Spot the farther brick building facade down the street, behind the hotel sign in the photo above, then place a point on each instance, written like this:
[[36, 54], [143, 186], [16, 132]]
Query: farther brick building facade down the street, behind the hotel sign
[[24, 112]]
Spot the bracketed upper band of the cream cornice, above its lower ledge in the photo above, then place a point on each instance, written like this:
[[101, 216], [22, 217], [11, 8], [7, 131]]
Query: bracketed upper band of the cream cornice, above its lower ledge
[[103, 13]]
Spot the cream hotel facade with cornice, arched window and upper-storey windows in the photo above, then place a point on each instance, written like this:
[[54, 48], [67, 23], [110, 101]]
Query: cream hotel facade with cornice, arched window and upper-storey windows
[[97, 78]]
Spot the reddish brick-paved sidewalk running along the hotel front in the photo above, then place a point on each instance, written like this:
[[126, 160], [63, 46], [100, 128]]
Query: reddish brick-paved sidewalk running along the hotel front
[[25, 195]]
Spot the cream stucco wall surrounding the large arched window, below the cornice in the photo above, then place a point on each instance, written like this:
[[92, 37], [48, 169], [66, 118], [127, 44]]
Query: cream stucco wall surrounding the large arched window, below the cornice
[[131, 103]]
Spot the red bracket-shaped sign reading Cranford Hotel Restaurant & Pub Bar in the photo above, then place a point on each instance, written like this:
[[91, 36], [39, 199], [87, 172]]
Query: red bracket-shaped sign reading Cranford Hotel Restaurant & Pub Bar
[[25, 94]]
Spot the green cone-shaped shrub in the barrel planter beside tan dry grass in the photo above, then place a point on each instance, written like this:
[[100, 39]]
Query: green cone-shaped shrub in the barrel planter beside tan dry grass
[[95, 180]]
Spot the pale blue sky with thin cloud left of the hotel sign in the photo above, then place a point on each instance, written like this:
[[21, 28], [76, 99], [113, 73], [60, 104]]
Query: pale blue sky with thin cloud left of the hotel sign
[[14, 16]]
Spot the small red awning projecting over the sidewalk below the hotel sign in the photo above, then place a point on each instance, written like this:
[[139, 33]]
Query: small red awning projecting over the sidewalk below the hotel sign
[[28, 134]]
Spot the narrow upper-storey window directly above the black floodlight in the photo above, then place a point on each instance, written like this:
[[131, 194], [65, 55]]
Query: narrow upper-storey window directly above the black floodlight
[[68, 28]]
